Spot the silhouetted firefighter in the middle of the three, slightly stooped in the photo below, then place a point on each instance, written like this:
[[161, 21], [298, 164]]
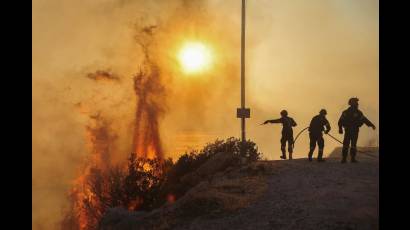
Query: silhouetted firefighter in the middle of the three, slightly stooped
[[316, 128]]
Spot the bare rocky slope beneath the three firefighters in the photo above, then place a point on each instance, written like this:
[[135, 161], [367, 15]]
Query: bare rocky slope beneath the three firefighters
[[281, 194]]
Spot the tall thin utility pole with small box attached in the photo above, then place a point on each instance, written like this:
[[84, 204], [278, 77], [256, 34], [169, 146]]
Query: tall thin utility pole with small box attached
[[243, 112]]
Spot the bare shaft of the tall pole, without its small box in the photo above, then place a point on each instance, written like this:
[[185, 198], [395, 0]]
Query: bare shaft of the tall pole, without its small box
[[243, 71]]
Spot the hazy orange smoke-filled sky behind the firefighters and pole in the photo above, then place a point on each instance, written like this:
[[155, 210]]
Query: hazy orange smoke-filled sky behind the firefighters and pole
[[301, 56]]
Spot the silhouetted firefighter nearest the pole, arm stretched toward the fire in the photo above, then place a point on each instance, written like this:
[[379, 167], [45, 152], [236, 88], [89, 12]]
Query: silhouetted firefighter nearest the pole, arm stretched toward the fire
[[287, 132]]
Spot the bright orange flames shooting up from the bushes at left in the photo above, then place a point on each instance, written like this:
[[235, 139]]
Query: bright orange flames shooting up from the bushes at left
[[99, 140]]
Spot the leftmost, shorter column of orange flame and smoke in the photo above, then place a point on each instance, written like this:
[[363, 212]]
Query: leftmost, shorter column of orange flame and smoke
[[100, 140]]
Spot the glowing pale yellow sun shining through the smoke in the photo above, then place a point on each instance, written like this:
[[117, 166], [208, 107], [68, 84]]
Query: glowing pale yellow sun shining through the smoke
[[194, 57]]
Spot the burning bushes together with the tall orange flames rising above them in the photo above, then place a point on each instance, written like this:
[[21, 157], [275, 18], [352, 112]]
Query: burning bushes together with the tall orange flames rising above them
[[145, 180]]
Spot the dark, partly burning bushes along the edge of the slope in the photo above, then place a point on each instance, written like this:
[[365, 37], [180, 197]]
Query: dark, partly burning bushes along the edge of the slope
[[146, 184]]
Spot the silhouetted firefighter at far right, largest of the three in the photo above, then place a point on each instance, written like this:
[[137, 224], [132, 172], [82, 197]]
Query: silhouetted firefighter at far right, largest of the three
[[351, 120]]
